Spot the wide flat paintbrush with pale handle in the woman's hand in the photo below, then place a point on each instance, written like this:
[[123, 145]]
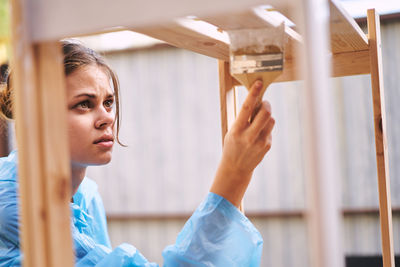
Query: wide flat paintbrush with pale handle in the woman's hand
[[257, 54]]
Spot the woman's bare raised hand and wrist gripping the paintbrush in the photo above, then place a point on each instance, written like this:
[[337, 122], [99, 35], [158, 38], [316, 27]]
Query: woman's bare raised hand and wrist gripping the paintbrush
[[245, 145]]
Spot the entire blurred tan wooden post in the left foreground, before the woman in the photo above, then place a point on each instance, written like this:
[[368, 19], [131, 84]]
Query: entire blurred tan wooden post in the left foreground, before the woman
[[43, 154]]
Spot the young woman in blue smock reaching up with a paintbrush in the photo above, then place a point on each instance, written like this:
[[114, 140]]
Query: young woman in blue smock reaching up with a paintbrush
[[217, 234]]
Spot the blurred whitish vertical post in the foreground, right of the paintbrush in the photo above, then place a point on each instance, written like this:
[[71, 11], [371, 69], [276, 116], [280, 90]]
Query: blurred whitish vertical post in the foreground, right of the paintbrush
[[321, 162]]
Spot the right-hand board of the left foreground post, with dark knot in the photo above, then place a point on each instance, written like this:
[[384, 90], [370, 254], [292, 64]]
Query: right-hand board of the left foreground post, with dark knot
[[55, 151]]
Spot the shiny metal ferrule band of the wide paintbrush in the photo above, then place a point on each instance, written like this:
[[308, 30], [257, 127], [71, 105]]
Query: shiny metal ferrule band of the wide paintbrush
[[256, 63]]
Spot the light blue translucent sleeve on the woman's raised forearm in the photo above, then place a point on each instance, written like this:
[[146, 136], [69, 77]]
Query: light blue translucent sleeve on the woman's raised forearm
[[217, 234]]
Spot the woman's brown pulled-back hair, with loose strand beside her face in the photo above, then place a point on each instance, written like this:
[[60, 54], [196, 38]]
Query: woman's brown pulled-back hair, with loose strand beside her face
[[76, 56]]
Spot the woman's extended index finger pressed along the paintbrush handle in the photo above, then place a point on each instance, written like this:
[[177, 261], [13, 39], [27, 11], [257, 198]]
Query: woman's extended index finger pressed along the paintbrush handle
[[249, 104]]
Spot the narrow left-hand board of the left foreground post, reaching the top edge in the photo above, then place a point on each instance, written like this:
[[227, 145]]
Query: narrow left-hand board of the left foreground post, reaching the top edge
[[32, 212]]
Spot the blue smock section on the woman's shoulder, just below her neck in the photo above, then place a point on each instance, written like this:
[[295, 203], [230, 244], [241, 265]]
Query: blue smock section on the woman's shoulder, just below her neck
[[89, 231]]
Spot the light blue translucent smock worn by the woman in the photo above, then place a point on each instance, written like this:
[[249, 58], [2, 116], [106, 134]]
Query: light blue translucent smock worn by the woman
[[217, 234]]
